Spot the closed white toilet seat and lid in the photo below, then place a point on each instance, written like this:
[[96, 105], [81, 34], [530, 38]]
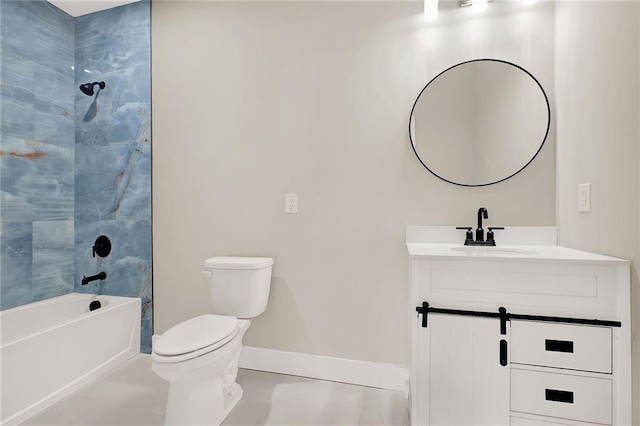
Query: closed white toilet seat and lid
[[195, 337]]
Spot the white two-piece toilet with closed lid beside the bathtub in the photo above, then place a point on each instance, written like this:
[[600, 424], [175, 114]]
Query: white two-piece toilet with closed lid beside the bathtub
[[199, 357]]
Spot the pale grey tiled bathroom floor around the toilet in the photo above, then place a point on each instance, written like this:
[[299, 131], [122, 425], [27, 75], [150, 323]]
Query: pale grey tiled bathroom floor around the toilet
[[134, 395]]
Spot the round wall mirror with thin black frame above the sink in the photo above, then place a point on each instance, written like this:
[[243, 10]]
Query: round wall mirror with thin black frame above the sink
[[479, 122]]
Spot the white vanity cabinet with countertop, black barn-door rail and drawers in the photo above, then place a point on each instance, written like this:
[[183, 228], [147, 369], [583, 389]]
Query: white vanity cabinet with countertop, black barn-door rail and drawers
[[559, 355]]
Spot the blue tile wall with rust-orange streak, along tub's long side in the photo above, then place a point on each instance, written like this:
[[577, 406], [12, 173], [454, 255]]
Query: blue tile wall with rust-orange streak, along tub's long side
[[36, 152]]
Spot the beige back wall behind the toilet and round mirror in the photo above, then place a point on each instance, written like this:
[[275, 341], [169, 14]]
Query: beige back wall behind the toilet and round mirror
[[255, 100]]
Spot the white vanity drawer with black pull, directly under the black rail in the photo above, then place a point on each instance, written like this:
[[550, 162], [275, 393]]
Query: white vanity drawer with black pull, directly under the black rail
[[574, 347]]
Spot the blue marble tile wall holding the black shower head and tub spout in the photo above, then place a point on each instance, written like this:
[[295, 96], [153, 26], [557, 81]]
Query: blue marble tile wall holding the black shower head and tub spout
[[113, 154]]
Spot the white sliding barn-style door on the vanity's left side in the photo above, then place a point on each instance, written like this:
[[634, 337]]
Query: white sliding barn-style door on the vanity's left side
[[467, 384]]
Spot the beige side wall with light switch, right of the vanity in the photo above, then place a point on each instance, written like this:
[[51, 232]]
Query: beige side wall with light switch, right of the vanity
[[597, 94]]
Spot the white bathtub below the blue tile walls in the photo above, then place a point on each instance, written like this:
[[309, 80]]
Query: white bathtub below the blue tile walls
[[50, 349]]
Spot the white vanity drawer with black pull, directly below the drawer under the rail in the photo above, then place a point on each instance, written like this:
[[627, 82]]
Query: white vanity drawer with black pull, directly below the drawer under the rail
[[565, 396]]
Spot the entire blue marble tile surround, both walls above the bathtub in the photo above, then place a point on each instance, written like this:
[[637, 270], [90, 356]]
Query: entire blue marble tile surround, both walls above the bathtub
[[74, 167]]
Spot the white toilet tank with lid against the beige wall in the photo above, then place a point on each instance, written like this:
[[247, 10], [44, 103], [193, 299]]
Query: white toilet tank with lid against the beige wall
[[239, 286]]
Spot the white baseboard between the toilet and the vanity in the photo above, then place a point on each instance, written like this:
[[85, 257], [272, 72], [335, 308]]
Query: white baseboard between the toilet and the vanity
[[373, 374]]
